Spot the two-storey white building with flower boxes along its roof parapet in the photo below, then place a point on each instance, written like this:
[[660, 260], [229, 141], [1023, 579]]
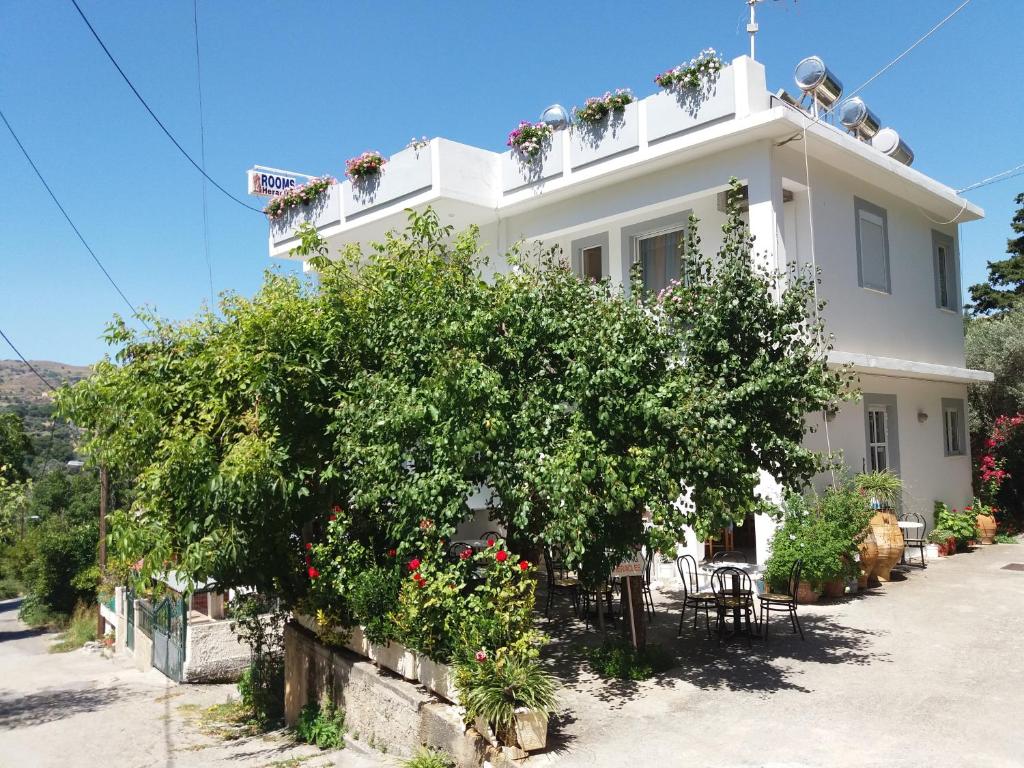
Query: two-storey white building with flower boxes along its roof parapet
[[884, 235]]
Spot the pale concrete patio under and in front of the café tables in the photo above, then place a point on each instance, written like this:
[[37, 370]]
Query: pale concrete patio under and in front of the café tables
[[923, 671]]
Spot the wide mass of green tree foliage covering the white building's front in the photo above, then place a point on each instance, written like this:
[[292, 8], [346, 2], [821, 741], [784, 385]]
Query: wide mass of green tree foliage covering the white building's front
[[405, 382]]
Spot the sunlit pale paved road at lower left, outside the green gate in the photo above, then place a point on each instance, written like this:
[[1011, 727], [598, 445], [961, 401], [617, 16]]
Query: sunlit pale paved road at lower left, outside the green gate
[[81, 709]]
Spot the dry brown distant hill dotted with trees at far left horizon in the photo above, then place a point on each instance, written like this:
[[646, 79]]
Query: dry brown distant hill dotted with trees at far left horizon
[[24, 394]]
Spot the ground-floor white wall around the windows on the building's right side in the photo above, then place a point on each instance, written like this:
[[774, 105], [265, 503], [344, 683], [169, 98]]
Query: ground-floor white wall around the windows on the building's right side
[[928, 475]]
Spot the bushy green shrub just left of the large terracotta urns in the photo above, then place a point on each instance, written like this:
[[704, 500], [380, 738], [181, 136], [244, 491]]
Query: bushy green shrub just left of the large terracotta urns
[[824, 533]]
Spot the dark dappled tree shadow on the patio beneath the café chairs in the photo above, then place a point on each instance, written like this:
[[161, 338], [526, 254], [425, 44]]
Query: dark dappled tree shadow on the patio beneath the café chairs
[[708, 664]]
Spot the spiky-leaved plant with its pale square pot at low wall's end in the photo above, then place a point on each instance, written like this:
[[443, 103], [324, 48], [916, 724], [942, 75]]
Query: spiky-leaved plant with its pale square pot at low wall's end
[[509, 695]]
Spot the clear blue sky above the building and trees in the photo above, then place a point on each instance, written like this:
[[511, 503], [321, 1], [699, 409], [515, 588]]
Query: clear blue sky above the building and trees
[[305, 86]]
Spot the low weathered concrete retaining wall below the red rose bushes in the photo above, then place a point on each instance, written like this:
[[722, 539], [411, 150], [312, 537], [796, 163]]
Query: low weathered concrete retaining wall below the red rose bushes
[[385, 711]]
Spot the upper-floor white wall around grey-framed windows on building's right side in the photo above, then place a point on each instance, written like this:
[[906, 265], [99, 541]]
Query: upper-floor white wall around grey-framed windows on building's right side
[[906, 324]]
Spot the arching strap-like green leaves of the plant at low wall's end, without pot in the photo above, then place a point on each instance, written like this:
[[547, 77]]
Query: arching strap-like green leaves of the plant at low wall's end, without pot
[[495, 689]]
